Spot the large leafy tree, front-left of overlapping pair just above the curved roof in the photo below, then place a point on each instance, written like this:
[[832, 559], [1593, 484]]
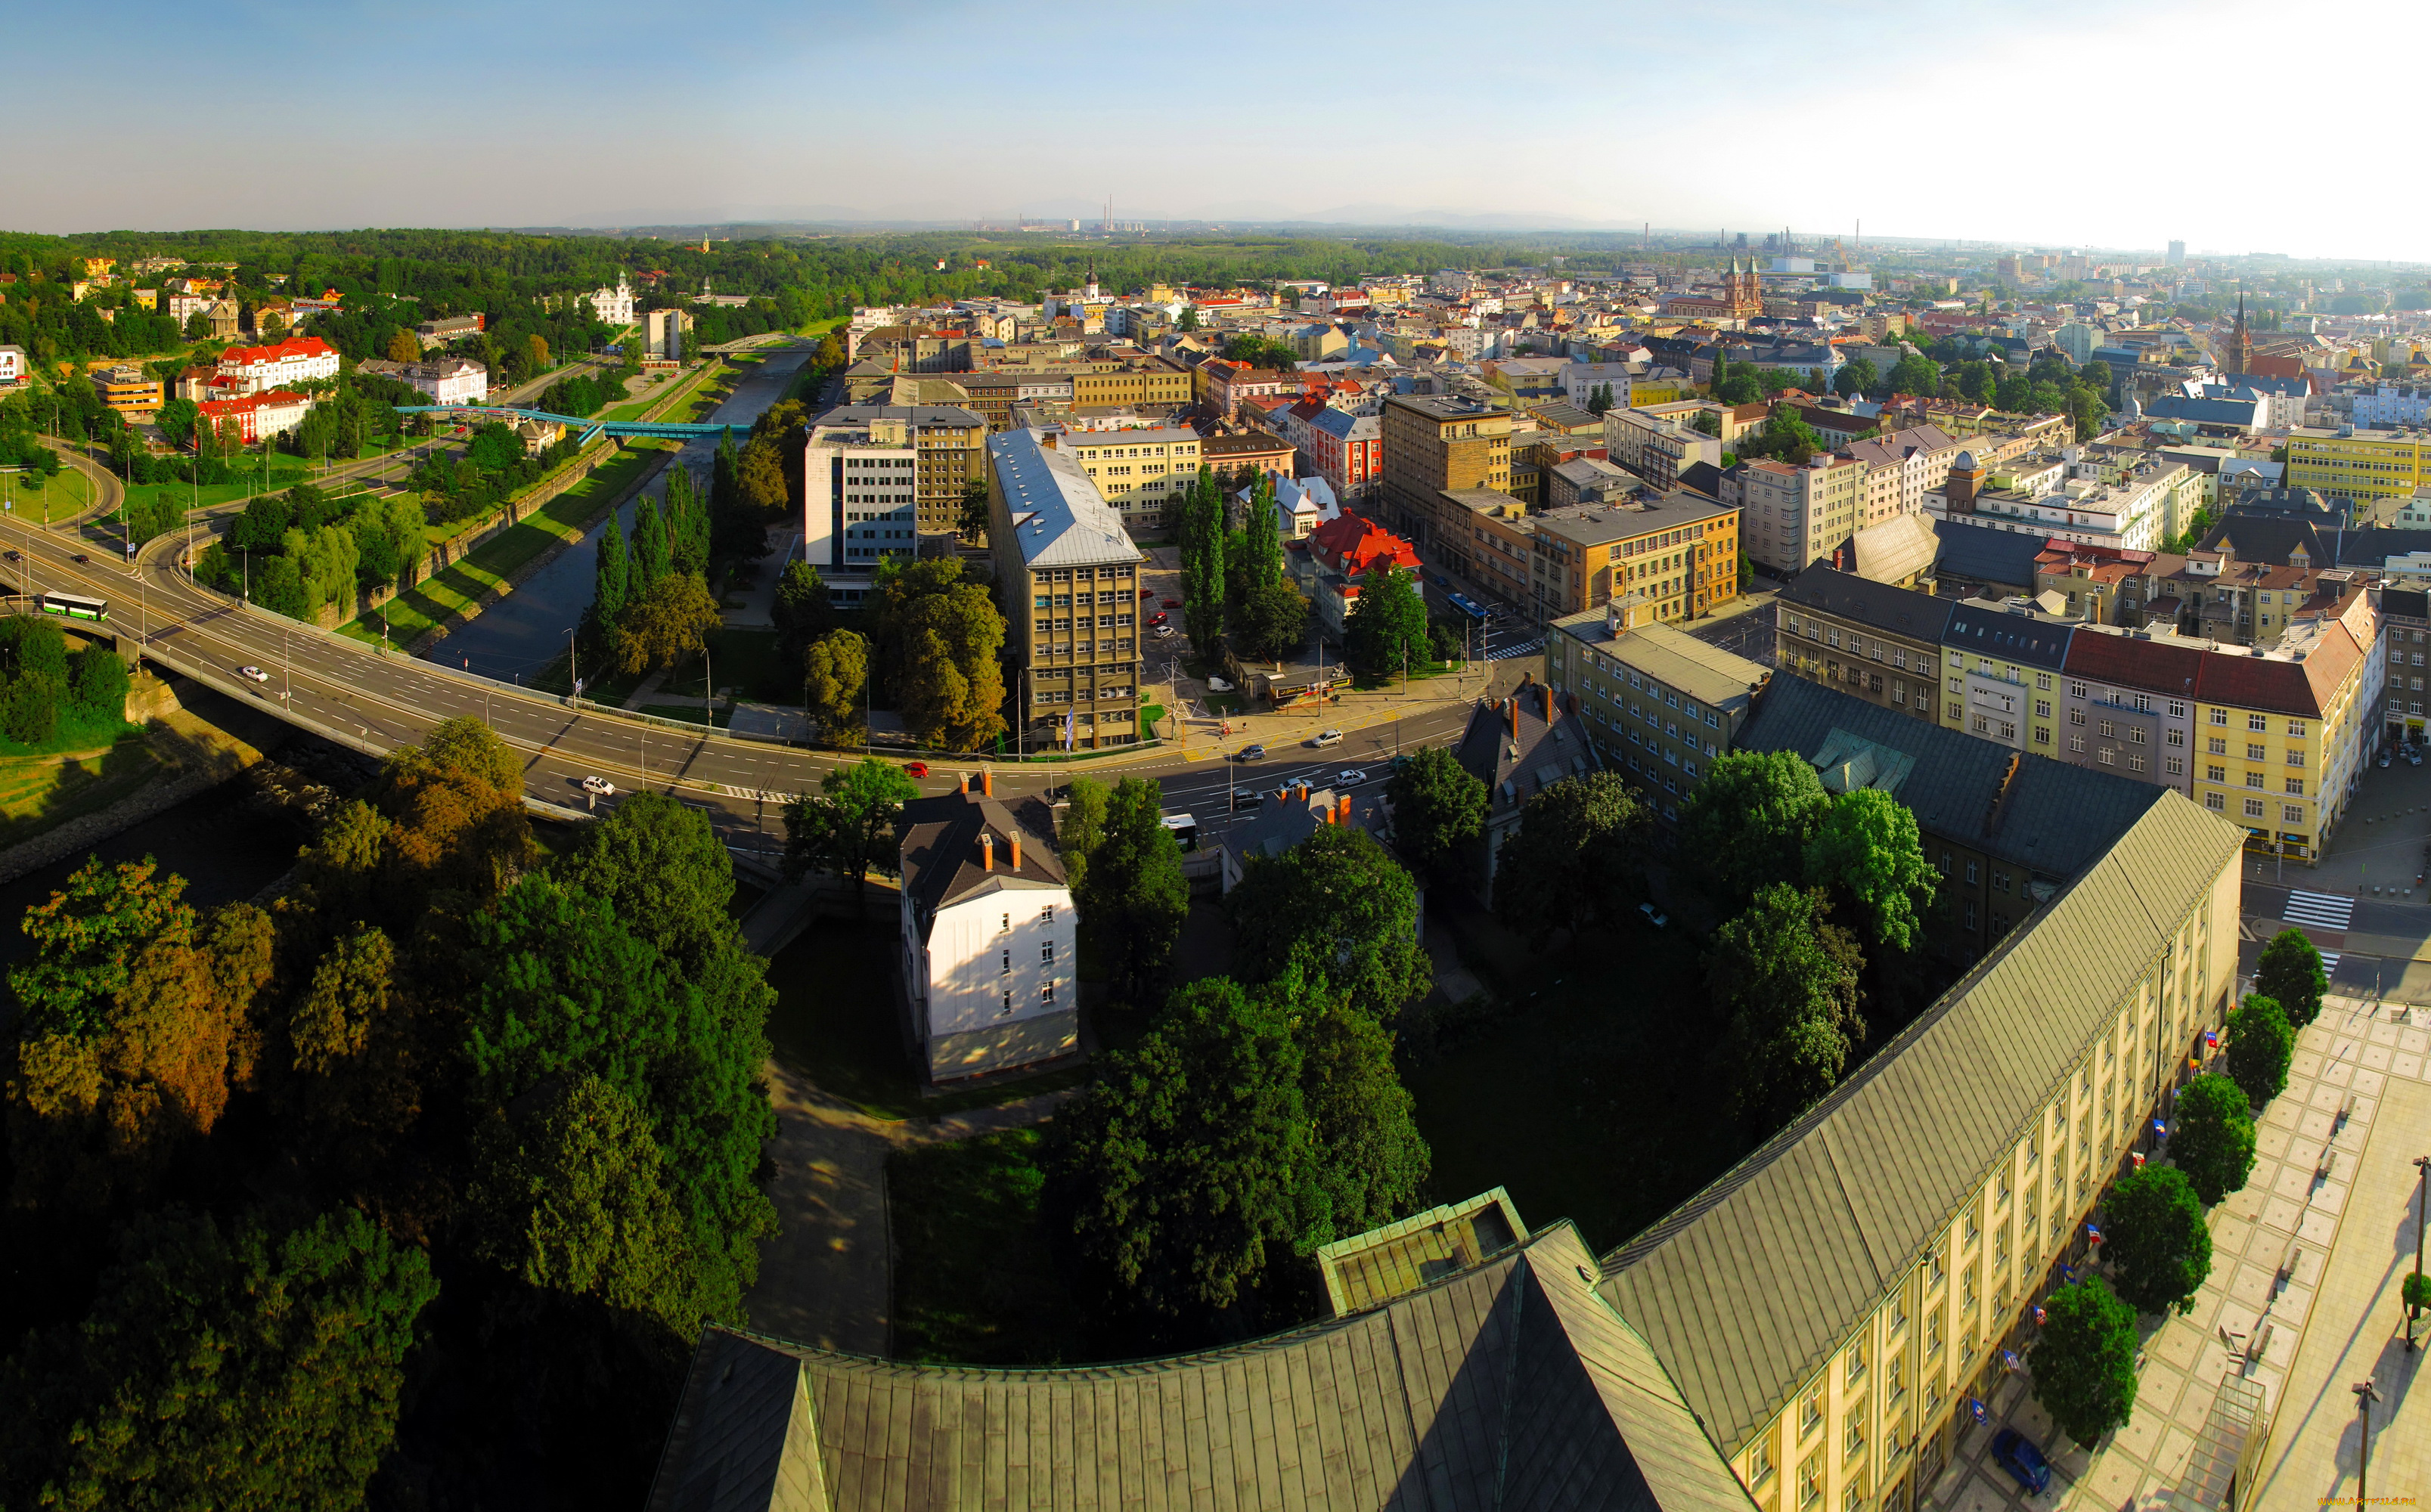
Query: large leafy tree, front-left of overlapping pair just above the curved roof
[[1183, 1166]]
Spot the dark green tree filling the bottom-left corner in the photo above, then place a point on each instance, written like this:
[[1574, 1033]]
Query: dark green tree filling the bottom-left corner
[[220, 1367]]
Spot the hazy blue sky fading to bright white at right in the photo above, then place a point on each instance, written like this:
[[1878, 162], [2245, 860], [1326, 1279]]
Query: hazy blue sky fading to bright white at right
[[2051, 123]]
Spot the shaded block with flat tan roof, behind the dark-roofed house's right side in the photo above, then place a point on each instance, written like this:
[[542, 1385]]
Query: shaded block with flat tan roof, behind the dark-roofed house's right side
[[1659, 704]]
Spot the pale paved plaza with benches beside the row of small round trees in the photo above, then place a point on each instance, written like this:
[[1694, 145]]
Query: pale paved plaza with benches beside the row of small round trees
[[2301, 1304]]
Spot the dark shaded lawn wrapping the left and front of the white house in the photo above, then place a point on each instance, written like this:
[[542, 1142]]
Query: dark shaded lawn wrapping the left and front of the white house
[[837, 1020]]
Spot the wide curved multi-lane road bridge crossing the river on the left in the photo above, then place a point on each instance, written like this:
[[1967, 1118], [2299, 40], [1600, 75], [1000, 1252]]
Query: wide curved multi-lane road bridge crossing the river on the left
[[378, 701]]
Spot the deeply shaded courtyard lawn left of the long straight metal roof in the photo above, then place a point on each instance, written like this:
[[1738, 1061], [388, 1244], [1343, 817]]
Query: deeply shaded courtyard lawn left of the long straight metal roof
[[1581, 1095]]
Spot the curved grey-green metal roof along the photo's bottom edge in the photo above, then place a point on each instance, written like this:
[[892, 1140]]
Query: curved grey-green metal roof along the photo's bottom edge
[[1508, 1384]]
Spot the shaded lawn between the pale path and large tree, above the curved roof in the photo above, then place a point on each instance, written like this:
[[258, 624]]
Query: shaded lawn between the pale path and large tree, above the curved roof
[[976, 1277]]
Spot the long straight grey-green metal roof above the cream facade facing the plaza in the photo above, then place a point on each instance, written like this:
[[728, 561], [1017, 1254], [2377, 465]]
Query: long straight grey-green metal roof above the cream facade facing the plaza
[[1752, 1285]]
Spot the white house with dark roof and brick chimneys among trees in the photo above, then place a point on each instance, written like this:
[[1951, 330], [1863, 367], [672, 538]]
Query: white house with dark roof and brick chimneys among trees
[[988, 935]]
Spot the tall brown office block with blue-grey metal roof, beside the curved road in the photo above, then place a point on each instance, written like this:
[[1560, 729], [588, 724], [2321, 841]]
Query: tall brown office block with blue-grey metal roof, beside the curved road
[[1071, 594]]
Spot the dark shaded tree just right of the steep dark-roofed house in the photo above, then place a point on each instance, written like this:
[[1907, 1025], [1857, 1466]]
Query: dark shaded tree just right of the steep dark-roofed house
[[1577, 859]]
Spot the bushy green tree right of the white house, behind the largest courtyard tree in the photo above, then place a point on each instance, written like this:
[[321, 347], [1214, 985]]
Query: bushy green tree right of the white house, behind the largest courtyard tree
[[1338, 910]]
